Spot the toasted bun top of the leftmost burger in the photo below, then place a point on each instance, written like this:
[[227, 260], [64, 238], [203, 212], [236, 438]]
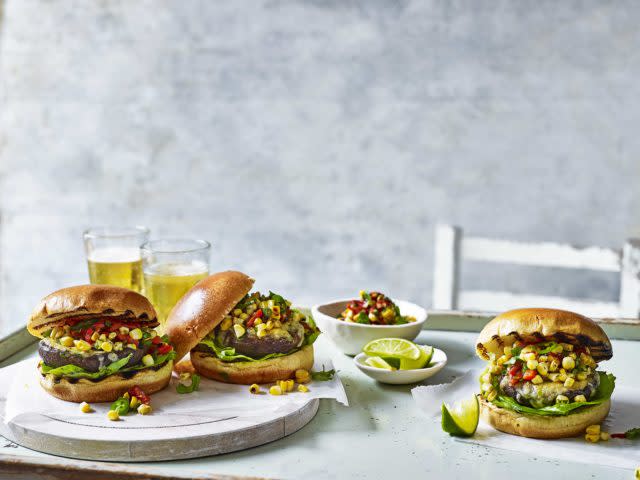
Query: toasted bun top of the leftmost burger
[[88, 300]]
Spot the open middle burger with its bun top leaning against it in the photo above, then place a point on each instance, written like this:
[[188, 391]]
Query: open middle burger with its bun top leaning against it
[[239, 337]]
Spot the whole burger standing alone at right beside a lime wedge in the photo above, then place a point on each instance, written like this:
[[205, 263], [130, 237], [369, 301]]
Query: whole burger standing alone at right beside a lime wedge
[[542, 380]]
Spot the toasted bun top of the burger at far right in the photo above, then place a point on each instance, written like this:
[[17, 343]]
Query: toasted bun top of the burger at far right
[[543, 324]]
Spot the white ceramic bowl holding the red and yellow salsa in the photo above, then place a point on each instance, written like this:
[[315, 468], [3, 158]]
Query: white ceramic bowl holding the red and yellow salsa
[[351, 337]]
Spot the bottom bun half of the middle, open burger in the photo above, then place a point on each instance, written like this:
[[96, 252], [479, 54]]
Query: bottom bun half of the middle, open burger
[[247, 373]]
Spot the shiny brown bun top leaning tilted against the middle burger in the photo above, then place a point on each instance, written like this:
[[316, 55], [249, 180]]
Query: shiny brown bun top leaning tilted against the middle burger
[[203, 307]]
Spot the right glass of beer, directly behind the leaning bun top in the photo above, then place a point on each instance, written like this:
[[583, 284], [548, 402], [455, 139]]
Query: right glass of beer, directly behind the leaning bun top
[[171, 267]]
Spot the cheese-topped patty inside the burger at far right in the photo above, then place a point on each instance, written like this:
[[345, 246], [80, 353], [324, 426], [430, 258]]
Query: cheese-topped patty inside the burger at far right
[[537, 396]]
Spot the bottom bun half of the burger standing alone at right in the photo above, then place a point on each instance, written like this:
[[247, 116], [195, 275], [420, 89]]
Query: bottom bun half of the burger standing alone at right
[[539, 426]]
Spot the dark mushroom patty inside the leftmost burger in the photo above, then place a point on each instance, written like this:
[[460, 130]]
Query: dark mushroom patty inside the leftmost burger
[[91, 361]]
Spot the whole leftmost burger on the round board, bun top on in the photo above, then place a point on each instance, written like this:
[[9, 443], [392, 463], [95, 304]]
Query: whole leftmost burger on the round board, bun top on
[[98, 341]]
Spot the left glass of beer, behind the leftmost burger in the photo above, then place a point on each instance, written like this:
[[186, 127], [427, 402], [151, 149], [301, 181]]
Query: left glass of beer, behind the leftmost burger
[[113, 255]]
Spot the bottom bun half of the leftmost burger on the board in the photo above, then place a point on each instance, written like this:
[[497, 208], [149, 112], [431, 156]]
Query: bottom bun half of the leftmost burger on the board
[[108, 388]]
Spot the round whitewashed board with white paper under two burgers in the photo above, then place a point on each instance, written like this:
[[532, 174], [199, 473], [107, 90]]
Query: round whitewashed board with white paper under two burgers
[[219, 418]]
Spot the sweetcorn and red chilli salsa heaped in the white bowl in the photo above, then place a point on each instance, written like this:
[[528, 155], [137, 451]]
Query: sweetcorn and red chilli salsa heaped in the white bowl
[[374, 308]]
